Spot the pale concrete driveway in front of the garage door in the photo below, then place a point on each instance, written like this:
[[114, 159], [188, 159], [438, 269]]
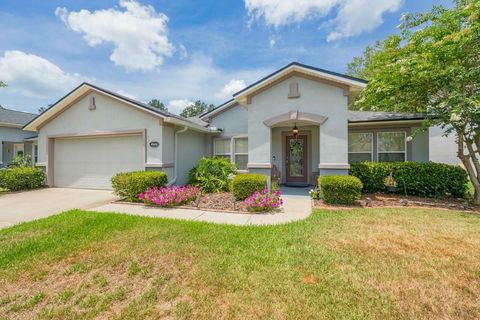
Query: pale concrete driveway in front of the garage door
[[36, 204]]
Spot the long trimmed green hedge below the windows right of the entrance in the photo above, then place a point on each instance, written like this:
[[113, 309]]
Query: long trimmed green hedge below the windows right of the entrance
[[413, 178]]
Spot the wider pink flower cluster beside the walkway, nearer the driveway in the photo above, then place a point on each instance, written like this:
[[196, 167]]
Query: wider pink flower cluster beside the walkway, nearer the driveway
[[169, 197]]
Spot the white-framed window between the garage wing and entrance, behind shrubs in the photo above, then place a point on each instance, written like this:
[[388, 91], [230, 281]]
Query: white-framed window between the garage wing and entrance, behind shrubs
[[234, 149]]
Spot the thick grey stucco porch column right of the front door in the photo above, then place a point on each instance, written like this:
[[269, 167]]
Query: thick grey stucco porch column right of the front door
[[333, 159]]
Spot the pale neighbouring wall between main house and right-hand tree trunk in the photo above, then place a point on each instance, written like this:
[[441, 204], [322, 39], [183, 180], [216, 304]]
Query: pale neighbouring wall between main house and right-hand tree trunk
[[443, 149]]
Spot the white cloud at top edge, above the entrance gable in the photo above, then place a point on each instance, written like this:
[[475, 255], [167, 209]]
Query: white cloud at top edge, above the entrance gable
[[353, 17]]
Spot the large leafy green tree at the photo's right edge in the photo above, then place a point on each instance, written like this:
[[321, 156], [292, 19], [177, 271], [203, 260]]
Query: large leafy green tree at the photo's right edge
[[432, 66]]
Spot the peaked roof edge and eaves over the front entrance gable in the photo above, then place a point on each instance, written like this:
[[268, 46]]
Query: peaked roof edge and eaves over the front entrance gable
[[351, 84]]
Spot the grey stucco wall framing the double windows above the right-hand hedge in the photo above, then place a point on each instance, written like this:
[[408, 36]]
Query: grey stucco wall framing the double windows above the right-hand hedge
[[417, 149]]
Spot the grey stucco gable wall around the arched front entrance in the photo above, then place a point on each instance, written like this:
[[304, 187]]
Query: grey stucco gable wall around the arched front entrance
[[315, 97]]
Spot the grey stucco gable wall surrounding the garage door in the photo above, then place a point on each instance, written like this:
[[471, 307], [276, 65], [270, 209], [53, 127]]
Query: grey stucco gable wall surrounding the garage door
[[110, 115]]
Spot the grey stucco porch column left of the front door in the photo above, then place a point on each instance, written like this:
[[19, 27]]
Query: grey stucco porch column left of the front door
[[259, 148]]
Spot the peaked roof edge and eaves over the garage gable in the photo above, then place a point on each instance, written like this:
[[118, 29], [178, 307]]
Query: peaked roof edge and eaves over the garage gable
[[85, 87]]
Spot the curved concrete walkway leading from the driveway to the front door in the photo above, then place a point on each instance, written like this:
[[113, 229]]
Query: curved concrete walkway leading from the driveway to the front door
[[296, 206]]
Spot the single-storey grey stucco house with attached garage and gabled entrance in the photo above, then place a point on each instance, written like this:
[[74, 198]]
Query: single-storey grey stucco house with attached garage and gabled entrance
[[294, 123]]
